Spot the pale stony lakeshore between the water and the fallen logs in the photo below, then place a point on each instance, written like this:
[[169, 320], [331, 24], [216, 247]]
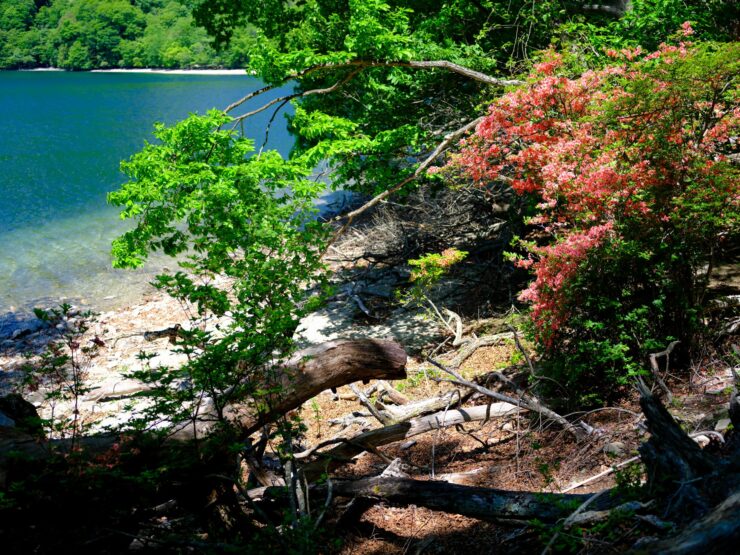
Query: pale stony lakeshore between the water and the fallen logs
[[363, 306]]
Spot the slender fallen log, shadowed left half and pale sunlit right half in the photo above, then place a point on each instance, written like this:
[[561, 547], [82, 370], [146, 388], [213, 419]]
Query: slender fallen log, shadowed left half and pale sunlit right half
[[350, 448]]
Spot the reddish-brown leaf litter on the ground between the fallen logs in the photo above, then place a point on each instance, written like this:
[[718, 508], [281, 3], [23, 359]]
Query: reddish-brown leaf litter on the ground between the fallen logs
[[517, 453]]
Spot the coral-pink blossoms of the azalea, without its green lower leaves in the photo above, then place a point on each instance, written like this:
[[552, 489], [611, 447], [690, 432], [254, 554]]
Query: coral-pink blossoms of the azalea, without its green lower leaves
[[610, 151]]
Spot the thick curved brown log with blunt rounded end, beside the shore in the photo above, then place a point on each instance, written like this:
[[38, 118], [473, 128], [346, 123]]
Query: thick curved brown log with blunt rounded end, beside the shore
[[305, 375]]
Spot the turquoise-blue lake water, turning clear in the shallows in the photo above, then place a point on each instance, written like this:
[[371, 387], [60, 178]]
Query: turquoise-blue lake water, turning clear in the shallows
[[62, 137]]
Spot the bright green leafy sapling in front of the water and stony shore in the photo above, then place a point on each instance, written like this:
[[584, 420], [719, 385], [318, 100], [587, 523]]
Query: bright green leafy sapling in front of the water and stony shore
[[243, 229]]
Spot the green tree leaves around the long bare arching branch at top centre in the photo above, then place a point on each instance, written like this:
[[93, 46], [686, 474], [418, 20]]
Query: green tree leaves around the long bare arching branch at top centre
[[393, 116]]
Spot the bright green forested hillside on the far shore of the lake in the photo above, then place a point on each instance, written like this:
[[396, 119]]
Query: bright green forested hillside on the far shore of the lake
[[93, 34]]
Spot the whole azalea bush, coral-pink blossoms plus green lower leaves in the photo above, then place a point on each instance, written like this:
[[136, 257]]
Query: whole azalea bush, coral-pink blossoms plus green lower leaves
[[632, 194]]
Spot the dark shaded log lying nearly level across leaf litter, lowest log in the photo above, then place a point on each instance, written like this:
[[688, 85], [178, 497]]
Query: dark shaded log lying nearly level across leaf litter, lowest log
[[482, 503]]
